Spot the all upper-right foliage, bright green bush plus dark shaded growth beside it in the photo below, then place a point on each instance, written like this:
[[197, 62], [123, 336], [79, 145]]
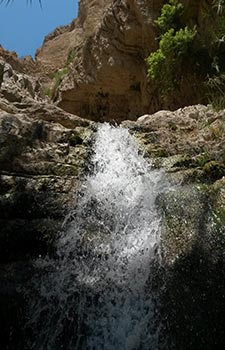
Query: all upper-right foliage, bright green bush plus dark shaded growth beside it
[[187, 49]]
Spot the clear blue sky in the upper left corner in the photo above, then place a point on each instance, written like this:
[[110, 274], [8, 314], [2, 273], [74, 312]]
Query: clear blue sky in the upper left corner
[[24, 26]]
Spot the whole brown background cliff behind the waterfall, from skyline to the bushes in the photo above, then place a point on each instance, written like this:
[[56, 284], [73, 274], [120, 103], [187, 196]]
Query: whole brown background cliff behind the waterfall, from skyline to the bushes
[[95, 67]]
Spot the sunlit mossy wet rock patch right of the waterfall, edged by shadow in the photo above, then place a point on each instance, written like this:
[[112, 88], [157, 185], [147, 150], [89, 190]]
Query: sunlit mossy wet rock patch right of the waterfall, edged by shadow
[[183, 211]]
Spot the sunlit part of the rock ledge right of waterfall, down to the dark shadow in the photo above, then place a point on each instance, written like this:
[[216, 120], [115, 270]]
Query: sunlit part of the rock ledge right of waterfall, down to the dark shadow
[[189, 145]]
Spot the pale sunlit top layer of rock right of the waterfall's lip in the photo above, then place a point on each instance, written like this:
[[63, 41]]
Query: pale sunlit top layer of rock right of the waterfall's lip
[[193, 131]]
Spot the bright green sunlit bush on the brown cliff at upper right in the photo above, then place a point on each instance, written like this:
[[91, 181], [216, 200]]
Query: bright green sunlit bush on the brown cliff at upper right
[[174, 45]]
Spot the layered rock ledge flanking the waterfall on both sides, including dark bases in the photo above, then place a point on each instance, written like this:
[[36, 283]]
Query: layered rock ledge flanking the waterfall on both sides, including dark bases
[[44, 154]]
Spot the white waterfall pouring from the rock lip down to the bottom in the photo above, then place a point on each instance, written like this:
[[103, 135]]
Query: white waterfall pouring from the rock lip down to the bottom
[[96, 293]]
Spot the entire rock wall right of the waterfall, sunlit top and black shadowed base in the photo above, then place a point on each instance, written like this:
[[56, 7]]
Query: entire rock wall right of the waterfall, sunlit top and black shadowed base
[[189, 144]]
